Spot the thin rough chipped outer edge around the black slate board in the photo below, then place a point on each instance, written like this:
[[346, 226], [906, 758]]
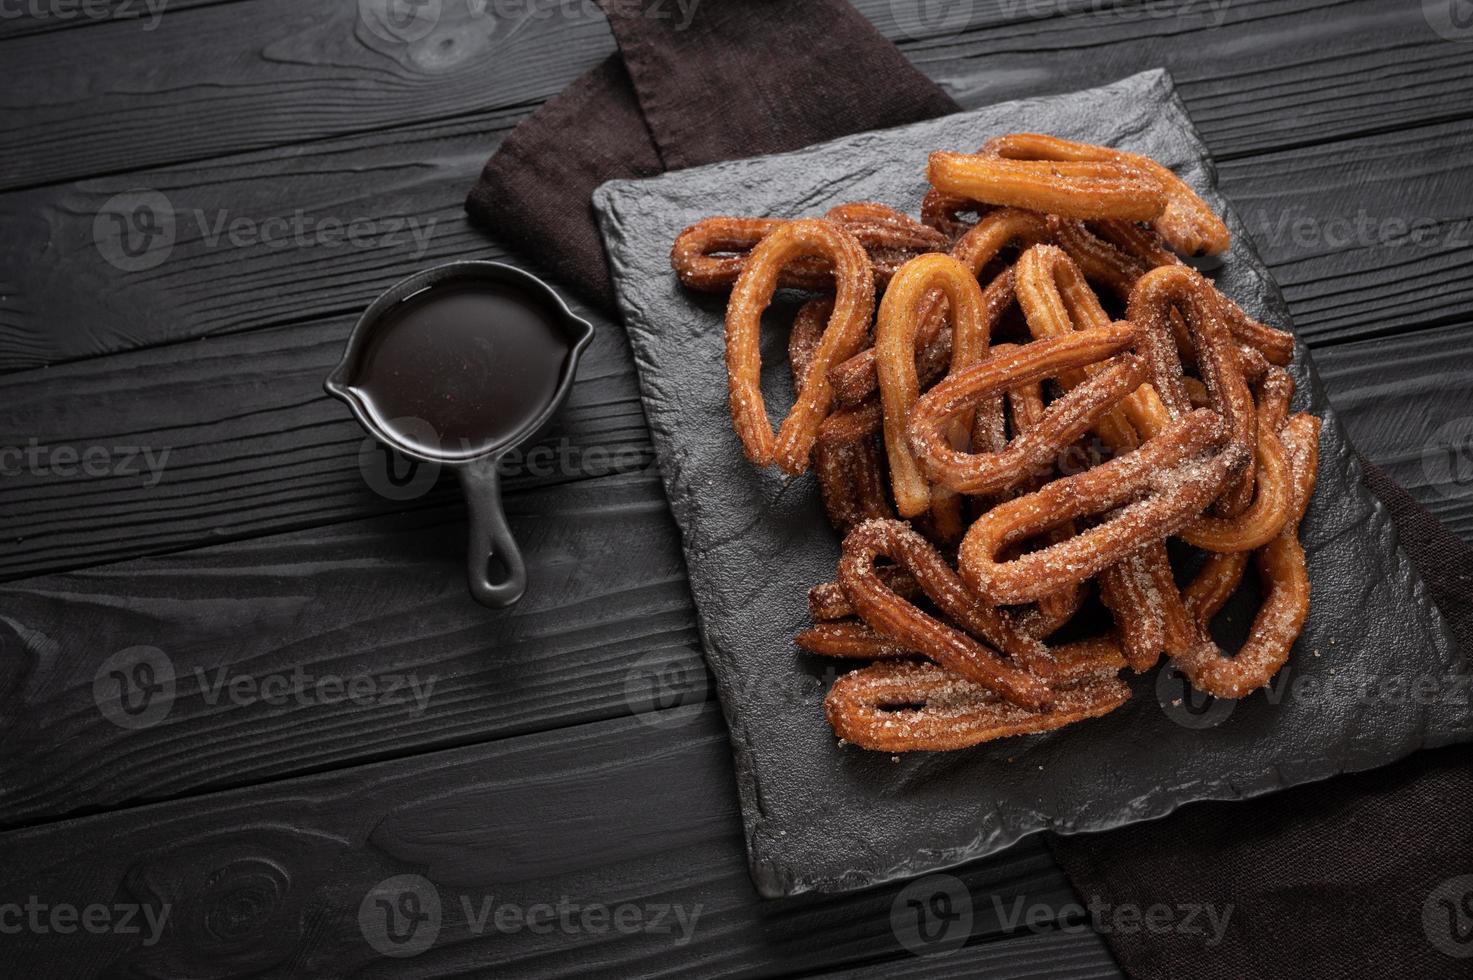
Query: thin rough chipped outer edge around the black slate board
[[777, 876]]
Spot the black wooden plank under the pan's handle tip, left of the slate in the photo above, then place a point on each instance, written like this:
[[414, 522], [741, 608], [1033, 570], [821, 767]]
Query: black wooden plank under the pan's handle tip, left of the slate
[[375, 603]]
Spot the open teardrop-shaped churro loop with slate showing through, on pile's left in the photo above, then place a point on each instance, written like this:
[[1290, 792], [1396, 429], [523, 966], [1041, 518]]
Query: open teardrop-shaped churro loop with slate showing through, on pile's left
[[848, 326]]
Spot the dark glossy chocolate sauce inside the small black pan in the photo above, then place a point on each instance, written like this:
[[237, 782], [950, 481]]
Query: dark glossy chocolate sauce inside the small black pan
[[477, 363]]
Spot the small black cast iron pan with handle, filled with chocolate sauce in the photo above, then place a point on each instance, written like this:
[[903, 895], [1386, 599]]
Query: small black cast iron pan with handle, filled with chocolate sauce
[[459, 366]]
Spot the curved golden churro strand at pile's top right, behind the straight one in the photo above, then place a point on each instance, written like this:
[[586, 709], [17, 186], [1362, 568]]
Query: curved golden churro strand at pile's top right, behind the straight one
[[1187, 222]]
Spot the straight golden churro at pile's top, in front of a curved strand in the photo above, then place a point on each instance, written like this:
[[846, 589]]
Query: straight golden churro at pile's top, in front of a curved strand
[[1070, 189]]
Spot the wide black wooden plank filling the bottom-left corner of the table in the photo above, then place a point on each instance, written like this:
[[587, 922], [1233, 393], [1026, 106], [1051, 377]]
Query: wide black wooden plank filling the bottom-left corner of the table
[[272, 882]]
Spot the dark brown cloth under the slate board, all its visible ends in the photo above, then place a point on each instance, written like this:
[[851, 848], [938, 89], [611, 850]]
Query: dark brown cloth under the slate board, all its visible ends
[[1323, 881]]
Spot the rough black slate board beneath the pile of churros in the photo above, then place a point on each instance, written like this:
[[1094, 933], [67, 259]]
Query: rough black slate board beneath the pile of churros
[[829, 817]]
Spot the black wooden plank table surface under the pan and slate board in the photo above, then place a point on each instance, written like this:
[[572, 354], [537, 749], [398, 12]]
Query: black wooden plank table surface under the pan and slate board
[[198, 206]]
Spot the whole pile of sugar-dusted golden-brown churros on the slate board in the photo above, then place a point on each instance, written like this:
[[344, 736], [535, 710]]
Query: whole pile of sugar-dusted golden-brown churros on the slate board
[[1011, 405]]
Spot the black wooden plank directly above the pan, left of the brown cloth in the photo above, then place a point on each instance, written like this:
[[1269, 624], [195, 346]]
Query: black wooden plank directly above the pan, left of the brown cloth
[[251, 242]]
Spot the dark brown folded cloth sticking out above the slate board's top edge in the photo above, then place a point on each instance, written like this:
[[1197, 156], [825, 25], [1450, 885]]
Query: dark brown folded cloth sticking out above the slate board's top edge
[[743, 79]]
